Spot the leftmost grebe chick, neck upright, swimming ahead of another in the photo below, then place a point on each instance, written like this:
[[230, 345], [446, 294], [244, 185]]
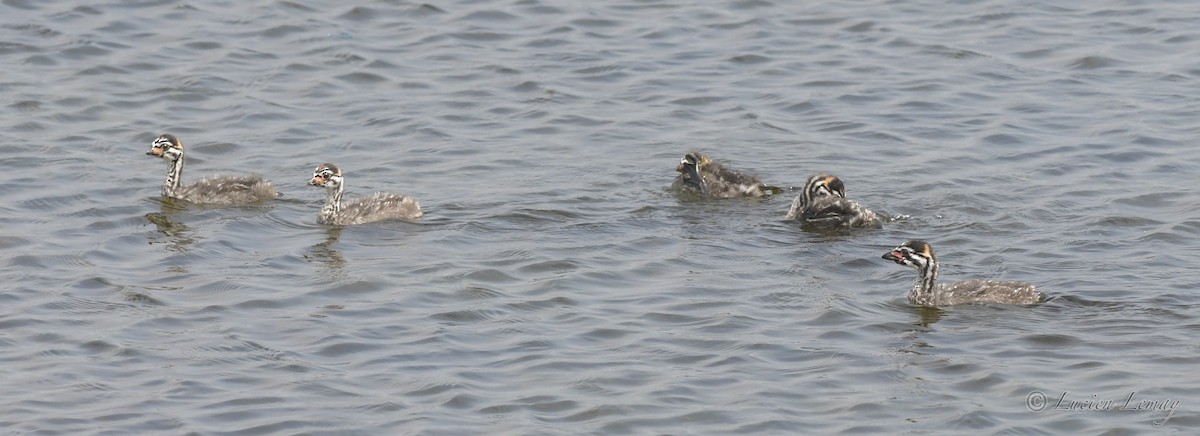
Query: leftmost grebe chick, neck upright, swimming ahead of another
[[211, 190]]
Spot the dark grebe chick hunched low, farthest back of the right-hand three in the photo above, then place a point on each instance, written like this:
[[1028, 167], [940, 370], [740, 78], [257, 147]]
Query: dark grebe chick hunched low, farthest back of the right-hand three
[[700, 174]]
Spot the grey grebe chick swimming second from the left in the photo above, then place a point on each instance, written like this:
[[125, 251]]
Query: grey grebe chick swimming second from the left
[[380, 207]]
